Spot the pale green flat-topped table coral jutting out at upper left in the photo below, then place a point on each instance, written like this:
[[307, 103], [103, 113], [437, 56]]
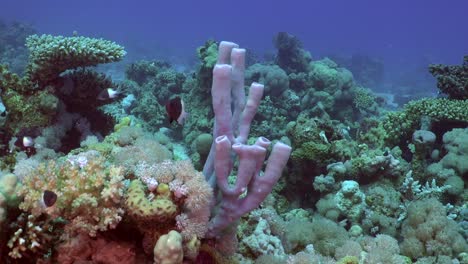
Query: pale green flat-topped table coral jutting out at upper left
[[52, 55]]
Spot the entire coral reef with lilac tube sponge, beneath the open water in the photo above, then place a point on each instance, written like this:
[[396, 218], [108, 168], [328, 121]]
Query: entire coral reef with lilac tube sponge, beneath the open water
[[289, 160]]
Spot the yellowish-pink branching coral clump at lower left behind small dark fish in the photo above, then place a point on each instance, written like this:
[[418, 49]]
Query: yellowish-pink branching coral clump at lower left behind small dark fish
[[89, 192]]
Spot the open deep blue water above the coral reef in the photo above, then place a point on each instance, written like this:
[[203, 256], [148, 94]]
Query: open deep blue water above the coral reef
[[405, 34]]
